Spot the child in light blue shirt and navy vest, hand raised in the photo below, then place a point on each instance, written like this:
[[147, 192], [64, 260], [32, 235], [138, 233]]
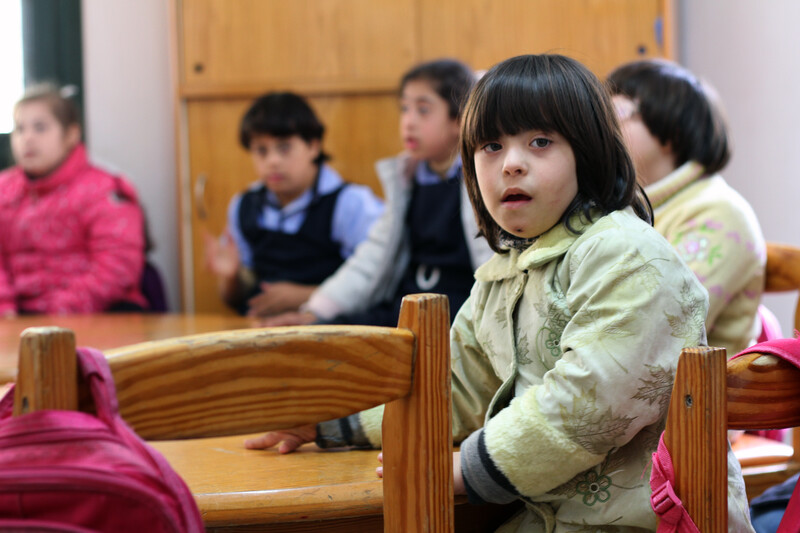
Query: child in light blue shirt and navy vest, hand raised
[[297, 225]]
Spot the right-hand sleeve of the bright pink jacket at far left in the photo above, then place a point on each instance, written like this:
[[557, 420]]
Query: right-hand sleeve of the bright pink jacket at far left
[[114, 227]]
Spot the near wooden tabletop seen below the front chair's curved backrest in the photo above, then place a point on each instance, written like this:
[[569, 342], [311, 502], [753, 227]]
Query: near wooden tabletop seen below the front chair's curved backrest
[[261, 490]]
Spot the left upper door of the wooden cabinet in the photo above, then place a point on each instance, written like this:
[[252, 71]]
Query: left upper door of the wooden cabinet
[[342, 44]]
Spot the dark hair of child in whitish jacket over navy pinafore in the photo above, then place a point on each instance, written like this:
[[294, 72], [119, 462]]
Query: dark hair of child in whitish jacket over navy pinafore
[[449, 78]]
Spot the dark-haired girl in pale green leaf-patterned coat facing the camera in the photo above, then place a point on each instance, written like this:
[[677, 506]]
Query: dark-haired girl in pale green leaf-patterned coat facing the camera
[[565, 352]]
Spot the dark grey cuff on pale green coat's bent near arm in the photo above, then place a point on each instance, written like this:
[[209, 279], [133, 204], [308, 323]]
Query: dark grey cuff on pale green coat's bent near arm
[[484, 482]]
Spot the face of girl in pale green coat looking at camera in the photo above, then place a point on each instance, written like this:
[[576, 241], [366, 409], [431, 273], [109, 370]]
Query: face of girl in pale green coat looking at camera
[[527, 180]]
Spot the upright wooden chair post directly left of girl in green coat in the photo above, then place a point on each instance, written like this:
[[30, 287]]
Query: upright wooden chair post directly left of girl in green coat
[[417, 429]]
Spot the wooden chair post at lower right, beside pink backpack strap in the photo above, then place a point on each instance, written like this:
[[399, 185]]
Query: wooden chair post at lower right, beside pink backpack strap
[[696, 436]]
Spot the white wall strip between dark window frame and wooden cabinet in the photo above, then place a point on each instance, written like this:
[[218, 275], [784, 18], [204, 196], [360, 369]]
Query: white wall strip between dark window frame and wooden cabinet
[[129, 112]]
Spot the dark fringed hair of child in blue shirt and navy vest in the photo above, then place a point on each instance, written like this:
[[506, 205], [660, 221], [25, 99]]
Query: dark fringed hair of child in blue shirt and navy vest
[[282, 114]]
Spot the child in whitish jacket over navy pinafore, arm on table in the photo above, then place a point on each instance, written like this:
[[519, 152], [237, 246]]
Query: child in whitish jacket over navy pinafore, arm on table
[[426, 240]]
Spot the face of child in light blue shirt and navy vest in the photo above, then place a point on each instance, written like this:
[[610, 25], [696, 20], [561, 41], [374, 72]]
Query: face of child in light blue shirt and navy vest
[[285, 165]]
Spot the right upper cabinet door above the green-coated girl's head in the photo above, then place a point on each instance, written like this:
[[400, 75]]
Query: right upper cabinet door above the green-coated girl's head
[[599, 33]]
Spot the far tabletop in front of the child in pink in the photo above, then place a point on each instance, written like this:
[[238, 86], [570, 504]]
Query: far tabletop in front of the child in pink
[[104, 331]]
